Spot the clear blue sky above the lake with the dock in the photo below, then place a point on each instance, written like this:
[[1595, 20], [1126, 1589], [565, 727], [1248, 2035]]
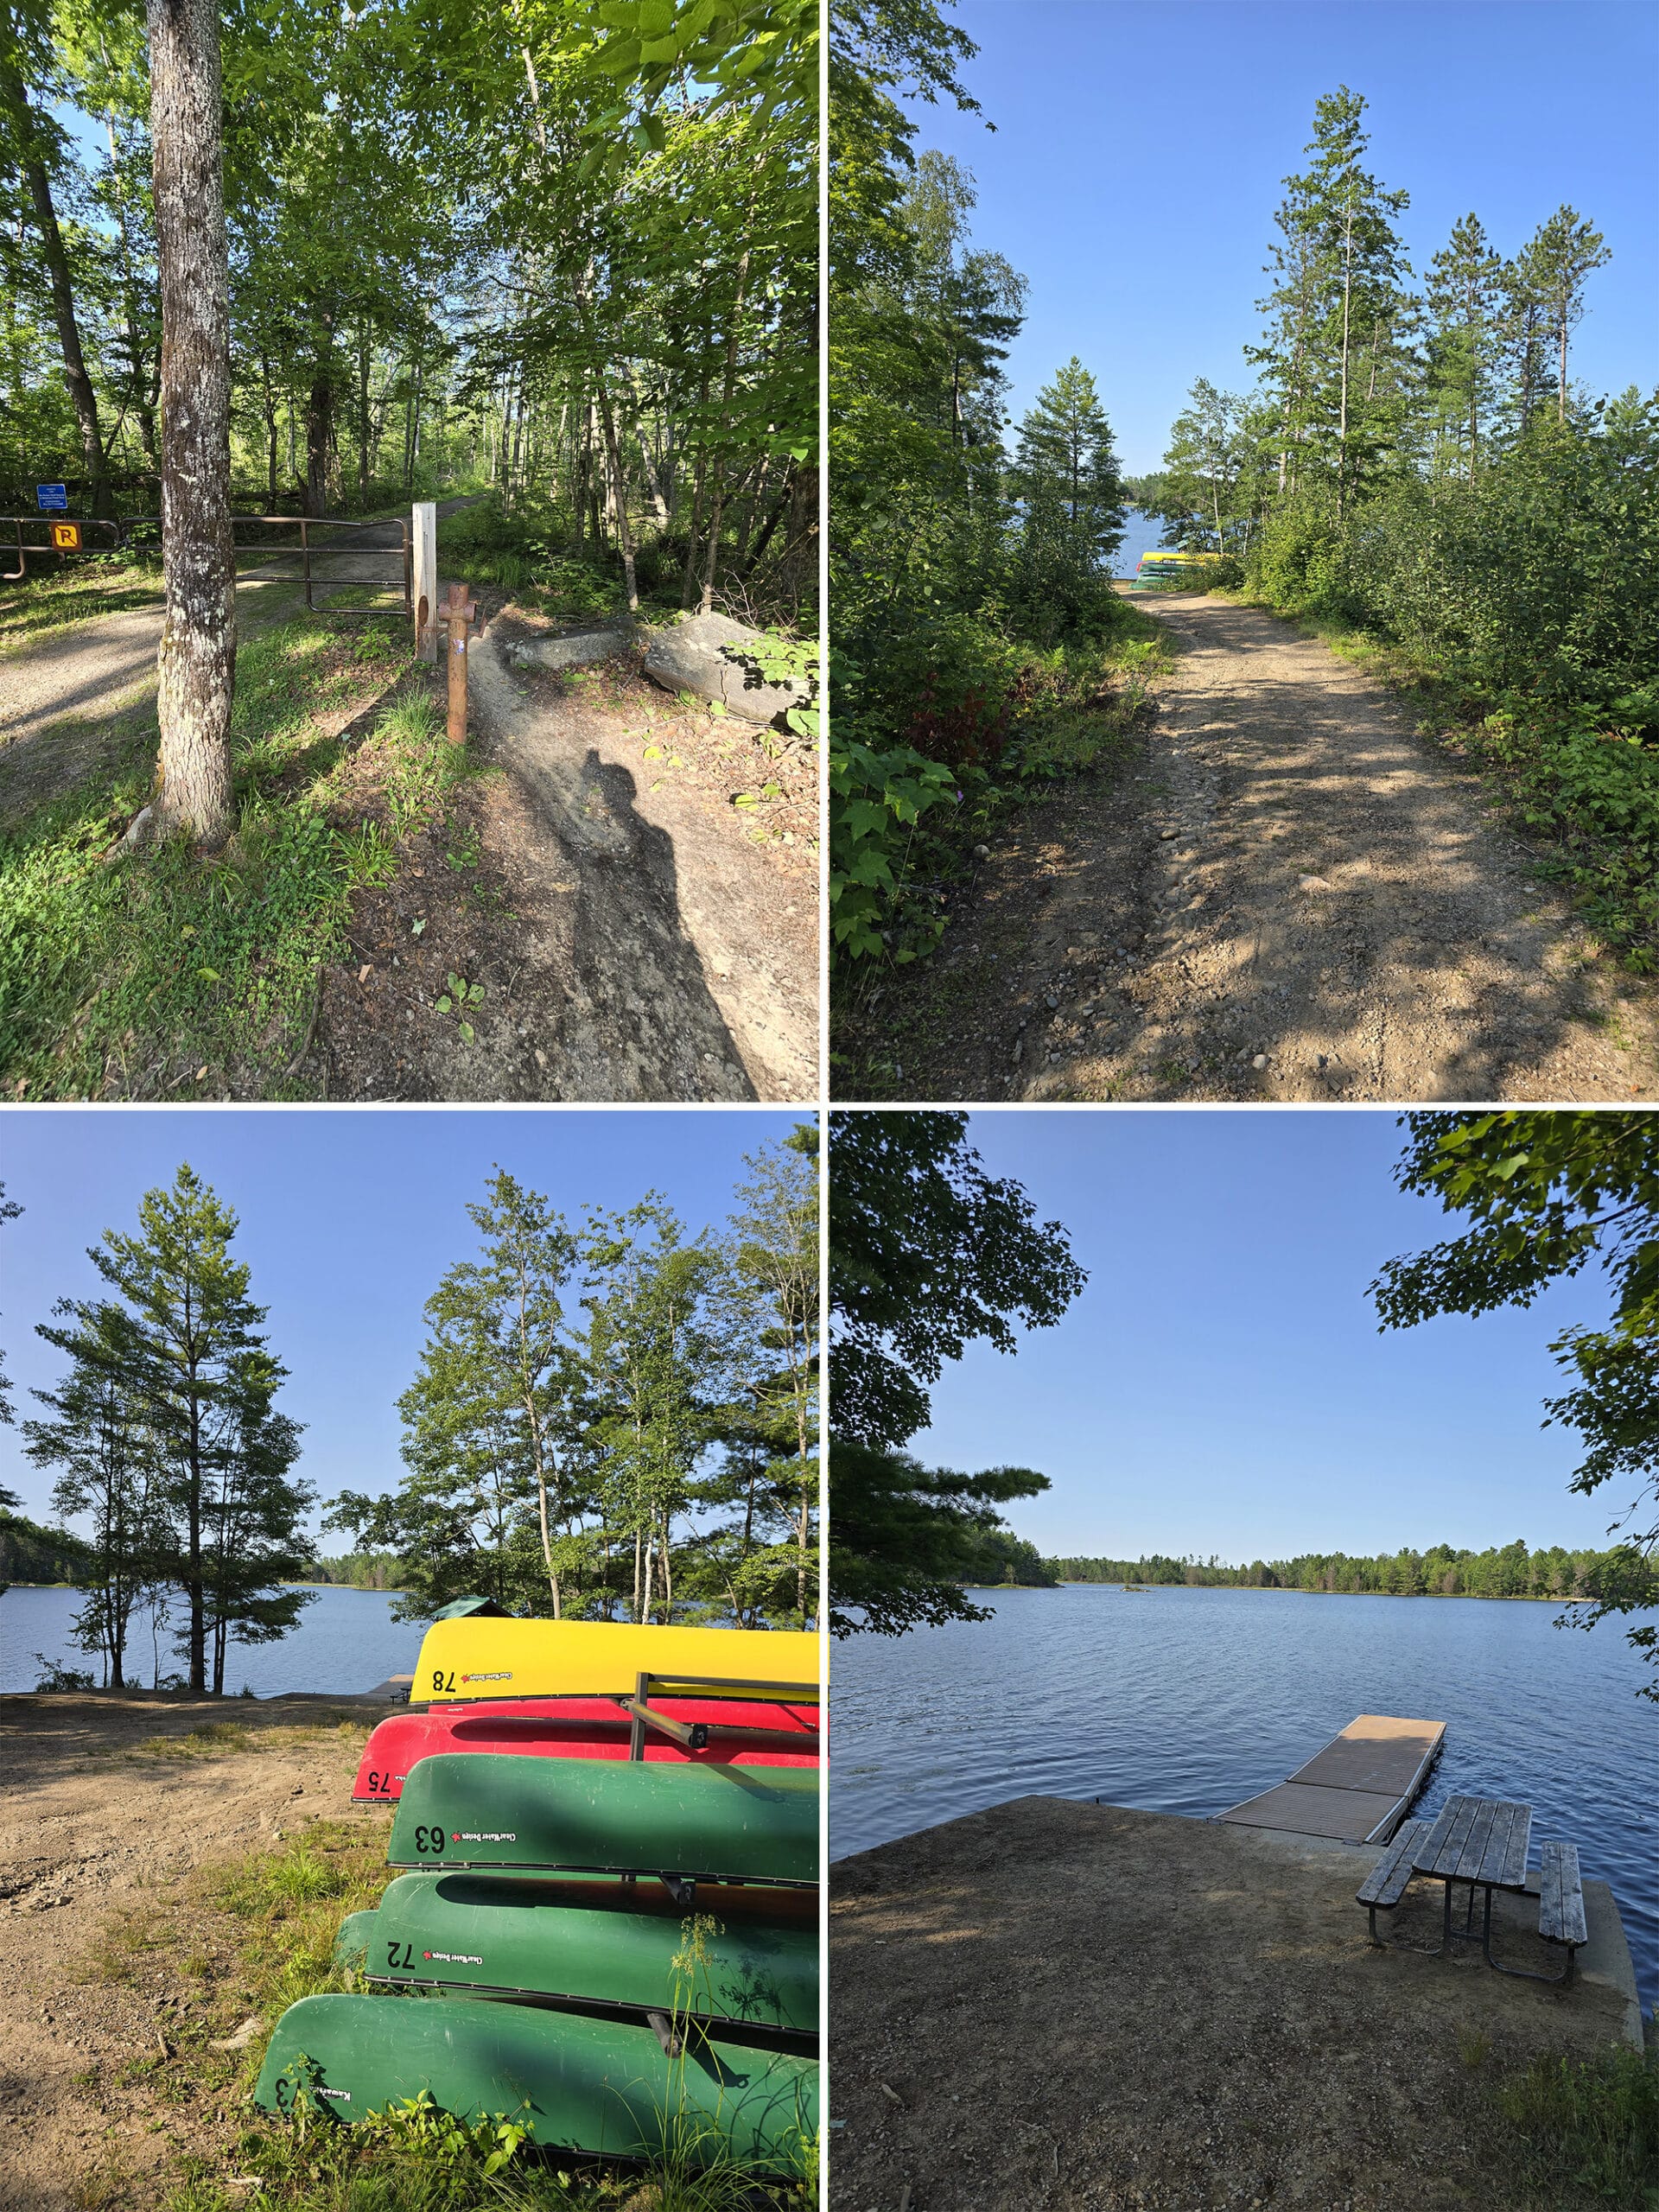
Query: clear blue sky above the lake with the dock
[[1222, 1384]]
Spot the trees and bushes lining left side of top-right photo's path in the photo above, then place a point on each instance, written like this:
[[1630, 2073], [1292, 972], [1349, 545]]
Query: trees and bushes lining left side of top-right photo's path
[[970, 559]]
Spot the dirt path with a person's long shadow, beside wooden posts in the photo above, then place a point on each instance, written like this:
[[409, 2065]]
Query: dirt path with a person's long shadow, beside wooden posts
[[629, 935]]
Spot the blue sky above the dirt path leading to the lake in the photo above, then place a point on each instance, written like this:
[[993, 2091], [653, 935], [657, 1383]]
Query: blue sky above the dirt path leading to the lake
[[1140, 152]]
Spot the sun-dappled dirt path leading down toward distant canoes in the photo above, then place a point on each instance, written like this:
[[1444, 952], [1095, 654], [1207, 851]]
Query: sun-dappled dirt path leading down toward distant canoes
[[1288, 897]]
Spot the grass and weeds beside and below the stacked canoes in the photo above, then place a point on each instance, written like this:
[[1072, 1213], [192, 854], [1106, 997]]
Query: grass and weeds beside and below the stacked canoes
[[282, 1912]]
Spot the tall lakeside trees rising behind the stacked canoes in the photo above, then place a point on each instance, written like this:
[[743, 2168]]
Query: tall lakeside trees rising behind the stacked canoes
[[609, 1421]]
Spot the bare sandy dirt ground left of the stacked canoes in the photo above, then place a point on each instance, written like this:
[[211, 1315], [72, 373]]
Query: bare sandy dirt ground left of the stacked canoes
[[101, 1981]]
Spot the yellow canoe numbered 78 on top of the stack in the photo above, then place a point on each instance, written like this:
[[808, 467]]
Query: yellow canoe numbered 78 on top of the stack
[[470, 1660]]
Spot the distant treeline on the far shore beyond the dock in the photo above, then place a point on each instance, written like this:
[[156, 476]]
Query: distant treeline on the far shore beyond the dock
[[1439, 1572]]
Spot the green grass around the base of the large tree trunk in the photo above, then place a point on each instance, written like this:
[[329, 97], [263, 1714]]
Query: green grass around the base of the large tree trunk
[[163, 972]]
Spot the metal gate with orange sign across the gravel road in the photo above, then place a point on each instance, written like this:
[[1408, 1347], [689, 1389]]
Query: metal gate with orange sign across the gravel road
[[320, 554]]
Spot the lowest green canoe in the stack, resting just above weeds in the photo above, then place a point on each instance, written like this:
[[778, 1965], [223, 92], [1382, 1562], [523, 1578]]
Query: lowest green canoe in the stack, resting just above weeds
[[570, 2080]]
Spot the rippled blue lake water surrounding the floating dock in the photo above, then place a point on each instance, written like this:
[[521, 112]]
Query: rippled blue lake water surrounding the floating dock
[[1193, 1700]]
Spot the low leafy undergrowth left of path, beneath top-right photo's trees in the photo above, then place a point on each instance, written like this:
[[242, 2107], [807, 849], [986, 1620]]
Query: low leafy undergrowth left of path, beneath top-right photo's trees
[[959, 733]]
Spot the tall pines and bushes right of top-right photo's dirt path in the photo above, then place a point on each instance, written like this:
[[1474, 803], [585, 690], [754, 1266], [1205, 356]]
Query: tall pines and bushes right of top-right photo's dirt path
[[1419, 463]]
